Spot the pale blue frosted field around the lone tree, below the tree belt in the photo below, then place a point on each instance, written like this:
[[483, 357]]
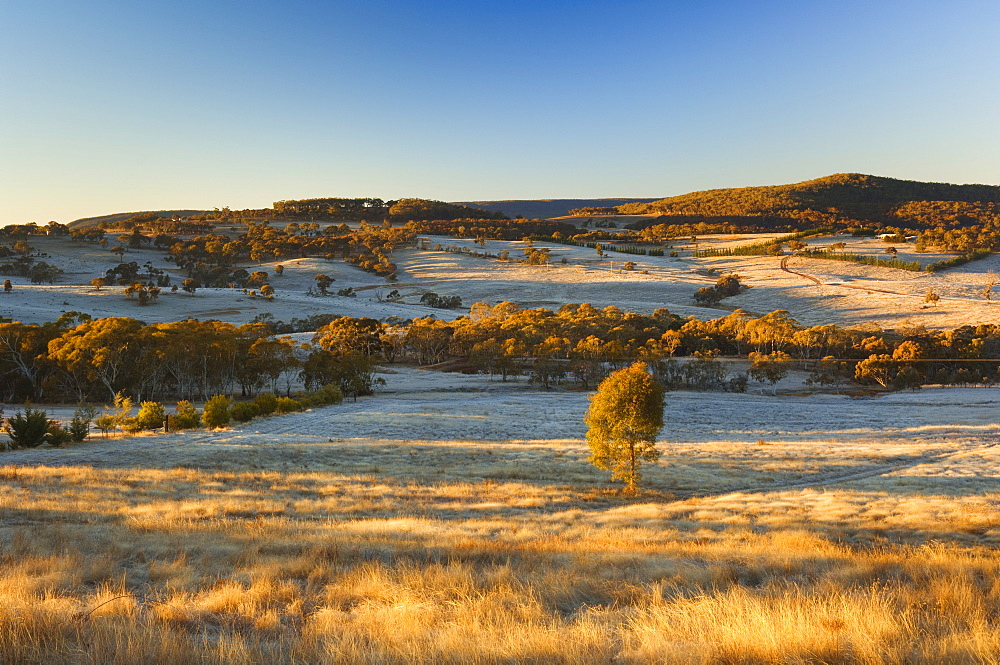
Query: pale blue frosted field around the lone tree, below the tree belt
[[946, 438]]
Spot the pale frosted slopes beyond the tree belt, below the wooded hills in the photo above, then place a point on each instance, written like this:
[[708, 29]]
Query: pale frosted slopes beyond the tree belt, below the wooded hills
[[822, 291]]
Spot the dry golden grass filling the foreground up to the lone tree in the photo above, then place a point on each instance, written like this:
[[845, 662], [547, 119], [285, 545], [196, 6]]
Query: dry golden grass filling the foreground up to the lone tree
[[430, 552]]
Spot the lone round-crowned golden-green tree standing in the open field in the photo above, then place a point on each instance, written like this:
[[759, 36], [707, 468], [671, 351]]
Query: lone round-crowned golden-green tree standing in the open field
[[625, 415]]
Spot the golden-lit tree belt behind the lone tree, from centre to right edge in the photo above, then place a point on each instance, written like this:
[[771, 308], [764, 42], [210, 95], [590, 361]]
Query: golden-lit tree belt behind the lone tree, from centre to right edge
[[583, 343]]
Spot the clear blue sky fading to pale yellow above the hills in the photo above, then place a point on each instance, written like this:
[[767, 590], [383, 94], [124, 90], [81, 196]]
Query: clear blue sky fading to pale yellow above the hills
[[126, 106]]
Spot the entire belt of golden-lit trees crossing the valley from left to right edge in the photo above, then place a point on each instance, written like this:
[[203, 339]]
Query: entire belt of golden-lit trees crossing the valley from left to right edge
[[78, 359]]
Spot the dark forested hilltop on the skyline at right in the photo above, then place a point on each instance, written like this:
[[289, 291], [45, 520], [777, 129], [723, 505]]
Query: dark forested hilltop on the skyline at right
[[848, 198]]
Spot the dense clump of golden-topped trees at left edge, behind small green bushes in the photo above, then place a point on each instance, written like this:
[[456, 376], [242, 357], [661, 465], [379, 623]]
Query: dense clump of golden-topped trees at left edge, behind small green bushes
[[81, 359]]
